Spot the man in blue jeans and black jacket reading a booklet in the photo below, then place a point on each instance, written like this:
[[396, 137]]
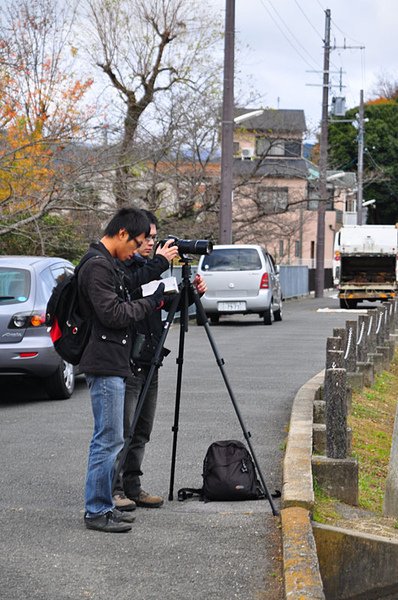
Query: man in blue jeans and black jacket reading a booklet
[[104, 297]]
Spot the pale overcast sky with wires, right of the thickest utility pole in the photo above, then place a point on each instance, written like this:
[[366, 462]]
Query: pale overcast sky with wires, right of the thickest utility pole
[[280, 45]]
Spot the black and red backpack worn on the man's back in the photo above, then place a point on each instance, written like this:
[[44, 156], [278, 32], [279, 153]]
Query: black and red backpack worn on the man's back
[[69, 330]]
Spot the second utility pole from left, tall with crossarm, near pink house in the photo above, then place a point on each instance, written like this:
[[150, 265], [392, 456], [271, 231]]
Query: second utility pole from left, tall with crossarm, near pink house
[[323, 161]]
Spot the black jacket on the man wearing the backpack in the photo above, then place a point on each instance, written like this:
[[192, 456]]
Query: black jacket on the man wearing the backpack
[[103, 296]]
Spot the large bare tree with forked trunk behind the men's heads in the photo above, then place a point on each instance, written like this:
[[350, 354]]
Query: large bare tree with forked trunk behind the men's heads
[[146, 48]]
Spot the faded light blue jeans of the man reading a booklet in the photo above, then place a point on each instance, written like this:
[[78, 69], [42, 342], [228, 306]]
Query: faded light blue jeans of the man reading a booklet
[[107, 401]]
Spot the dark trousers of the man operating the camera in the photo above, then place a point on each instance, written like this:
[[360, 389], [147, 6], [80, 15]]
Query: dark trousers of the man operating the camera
[[131, 470]]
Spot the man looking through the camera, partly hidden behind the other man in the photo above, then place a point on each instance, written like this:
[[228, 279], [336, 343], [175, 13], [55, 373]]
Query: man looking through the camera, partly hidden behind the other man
[[128, 492]]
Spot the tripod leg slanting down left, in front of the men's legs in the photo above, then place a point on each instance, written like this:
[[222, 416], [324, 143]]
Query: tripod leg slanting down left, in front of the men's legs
[[156, 363]]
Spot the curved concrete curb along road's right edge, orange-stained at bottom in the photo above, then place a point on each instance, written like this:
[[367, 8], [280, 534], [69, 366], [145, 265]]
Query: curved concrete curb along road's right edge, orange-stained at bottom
[[300, 561]]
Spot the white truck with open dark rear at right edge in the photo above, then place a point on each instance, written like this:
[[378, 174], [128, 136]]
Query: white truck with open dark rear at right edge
[[365, 263]]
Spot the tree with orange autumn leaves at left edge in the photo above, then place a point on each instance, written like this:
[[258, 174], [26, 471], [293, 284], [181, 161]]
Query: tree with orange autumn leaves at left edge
[[41, 113]]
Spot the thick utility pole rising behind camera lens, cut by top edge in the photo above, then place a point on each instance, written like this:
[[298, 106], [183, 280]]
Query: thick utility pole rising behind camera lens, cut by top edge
[[227, 129]]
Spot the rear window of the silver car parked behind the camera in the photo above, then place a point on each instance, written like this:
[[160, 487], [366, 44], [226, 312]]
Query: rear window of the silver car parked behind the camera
[[232, 259]]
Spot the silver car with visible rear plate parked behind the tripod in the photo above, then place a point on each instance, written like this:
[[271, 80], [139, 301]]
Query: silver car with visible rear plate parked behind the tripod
[[241, 278]]
